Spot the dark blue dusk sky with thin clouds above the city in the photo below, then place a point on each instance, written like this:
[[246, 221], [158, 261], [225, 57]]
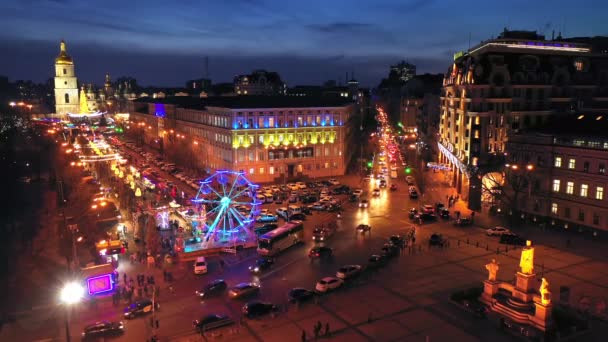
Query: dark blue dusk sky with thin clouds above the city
[[307, 42]]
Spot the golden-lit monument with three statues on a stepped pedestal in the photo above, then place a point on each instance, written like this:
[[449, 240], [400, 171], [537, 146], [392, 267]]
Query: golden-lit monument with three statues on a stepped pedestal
[[523, 302]]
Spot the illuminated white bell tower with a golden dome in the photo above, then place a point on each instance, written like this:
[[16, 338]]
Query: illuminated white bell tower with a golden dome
[[66, 84]]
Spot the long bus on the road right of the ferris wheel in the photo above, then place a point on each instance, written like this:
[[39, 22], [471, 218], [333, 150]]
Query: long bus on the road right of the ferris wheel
[[275, 241]]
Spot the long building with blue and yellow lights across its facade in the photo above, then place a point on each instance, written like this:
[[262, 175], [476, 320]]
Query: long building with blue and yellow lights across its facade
[[269, 138]]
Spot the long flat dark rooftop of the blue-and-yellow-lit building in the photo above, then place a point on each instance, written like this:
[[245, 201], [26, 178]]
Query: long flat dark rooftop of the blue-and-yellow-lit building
[[238, 102]]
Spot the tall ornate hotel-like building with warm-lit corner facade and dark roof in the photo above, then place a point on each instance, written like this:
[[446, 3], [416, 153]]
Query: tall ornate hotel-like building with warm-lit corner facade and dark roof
[[503, 85]]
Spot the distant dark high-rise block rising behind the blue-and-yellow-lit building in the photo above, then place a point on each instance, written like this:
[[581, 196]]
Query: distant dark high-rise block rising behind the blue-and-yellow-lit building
[[260, 82]]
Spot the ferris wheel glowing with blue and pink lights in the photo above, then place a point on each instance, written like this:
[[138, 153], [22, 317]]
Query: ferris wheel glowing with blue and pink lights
[[228, 207]]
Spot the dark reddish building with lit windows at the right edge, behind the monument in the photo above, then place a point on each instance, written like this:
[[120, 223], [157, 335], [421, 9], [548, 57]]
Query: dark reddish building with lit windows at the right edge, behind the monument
[[568, 178]]
